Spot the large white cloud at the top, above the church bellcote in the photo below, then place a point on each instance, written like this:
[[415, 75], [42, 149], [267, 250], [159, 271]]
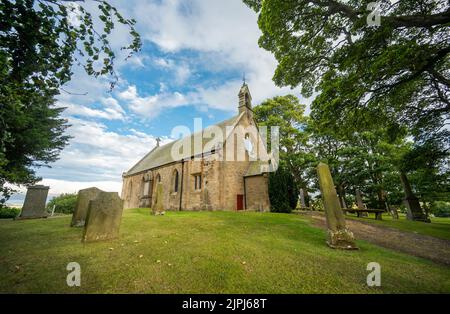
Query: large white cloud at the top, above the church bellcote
[[225, 33]]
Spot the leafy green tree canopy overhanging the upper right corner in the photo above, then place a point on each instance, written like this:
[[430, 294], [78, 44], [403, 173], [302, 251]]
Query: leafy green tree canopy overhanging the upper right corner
[[399, 68]]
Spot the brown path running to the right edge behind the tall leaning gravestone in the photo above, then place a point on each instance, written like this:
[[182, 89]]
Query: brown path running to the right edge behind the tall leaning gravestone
[[435, 249]]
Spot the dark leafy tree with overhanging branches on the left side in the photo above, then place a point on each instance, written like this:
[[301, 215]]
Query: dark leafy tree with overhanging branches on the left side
[[40, 41]]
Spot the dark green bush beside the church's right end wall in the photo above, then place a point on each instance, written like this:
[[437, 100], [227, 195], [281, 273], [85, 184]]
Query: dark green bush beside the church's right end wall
[[283, 192]]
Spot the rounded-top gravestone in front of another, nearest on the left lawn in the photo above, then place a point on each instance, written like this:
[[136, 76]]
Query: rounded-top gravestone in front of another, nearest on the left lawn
[[103, 217]]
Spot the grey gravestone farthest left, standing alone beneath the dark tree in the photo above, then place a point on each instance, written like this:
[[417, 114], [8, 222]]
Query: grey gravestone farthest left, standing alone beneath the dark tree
[[34, 205]]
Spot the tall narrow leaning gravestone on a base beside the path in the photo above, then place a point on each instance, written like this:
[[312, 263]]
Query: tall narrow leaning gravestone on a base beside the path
[[339, 237]]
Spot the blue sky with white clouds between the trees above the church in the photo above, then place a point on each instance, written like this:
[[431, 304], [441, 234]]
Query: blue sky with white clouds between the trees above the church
[[191, 66]]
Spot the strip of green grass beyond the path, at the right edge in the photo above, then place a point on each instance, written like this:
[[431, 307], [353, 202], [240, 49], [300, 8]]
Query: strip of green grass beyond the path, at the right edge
[[439, 227]]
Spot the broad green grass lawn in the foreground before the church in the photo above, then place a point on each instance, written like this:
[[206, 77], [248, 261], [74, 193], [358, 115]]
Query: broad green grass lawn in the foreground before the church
[[203, 252]]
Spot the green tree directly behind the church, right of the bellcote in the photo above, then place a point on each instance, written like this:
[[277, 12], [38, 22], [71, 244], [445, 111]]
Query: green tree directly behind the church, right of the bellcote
[[287, 113]]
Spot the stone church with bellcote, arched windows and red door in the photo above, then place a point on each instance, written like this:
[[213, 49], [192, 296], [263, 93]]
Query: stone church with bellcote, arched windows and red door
[[214, 169]]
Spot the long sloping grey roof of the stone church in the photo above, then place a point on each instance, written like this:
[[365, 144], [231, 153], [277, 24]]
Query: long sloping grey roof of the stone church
[[162, 155]]
